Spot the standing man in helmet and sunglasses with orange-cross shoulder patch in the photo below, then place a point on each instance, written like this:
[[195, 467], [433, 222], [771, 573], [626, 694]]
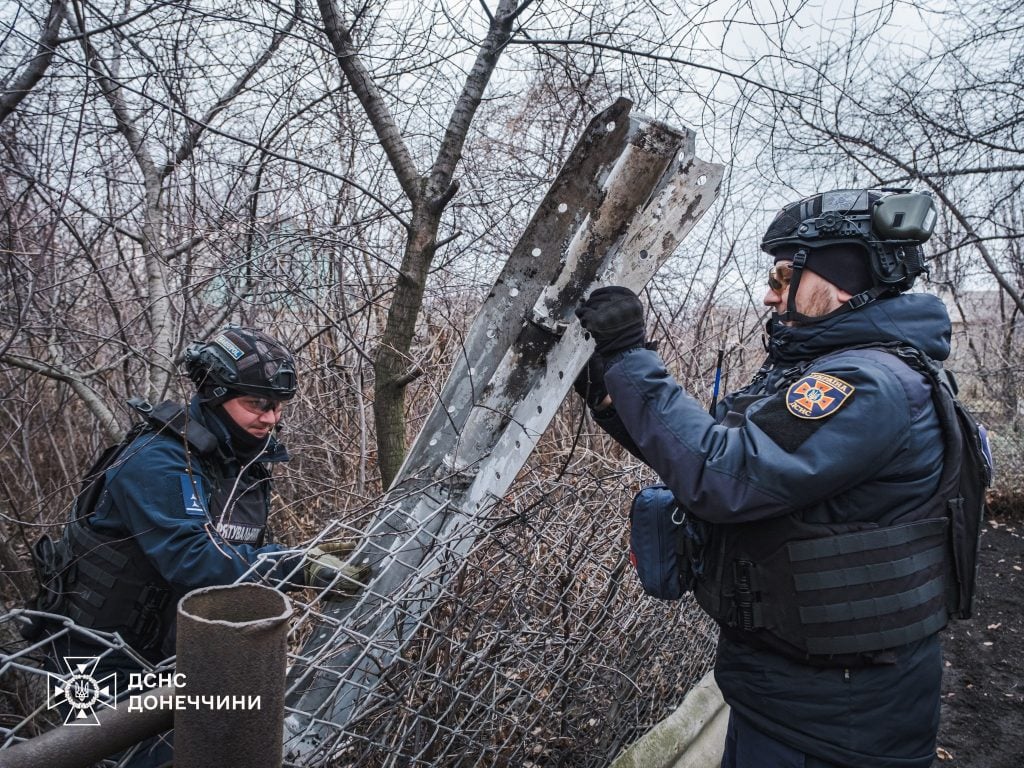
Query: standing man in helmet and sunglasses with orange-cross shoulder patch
[[829, 654]]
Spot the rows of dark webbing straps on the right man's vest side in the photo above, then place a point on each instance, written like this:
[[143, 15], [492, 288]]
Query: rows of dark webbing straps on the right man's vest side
[[864, 591]]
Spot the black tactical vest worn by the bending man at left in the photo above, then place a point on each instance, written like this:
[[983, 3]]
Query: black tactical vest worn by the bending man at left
[[109, 584]]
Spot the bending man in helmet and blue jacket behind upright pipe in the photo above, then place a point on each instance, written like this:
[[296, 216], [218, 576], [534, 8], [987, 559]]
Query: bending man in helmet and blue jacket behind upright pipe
[[185, 505]]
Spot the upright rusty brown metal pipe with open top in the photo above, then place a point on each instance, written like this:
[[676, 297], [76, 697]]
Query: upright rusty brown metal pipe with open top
[[232, 652]]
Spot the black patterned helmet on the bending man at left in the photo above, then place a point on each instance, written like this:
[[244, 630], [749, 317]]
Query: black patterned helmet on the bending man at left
[[241, 361]]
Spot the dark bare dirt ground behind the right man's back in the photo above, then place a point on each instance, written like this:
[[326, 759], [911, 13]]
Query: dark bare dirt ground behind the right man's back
[[983, 722]]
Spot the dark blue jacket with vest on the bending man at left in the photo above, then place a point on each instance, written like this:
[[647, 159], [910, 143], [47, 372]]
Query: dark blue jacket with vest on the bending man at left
[[179, 510]]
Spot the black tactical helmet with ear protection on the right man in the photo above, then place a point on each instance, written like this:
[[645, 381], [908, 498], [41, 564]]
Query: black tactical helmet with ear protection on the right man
[[888, 225]]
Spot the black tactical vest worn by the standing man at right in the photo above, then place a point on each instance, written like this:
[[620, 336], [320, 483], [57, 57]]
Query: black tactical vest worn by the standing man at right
[[844, 592]]
